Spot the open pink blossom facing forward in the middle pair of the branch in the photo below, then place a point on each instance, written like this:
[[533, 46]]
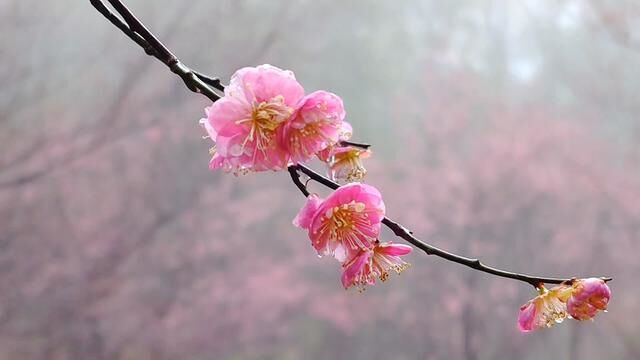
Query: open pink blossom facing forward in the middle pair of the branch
[[347, 221]]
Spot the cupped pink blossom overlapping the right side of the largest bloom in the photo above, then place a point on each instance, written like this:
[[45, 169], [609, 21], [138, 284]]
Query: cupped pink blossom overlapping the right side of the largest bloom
[[316, 125]]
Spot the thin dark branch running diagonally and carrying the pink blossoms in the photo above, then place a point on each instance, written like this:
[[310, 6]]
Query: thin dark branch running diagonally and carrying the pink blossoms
[[199, 83]]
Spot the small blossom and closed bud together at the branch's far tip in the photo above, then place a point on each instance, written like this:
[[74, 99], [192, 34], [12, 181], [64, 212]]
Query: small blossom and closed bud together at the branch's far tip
[[581, 300]]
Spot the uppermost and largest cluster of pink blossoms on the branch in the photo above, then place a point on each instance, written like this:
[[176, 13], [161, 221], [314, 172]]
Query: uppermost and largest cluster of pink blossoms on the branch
[[265, 122]]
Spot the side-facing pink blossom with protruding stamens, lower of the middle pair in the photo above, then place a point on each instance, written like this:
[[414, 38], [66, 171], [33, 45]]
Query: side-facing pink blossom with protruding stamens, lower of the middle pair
[[365, 265]]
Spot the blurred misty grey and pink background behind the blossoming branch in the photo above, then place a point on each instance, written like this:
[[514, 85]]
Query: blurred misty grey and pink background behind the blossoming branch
[[504, 130]]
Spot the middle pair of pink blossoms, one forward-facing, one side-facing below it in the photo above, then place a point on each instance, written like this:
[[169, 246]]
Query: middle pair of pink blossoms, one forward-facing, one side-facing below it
[[346, 225]]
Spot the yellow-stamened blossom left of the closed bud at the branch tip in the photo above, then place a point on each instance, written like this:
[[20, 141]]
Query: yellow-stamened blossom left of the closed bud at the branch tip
[[545, 310]]
